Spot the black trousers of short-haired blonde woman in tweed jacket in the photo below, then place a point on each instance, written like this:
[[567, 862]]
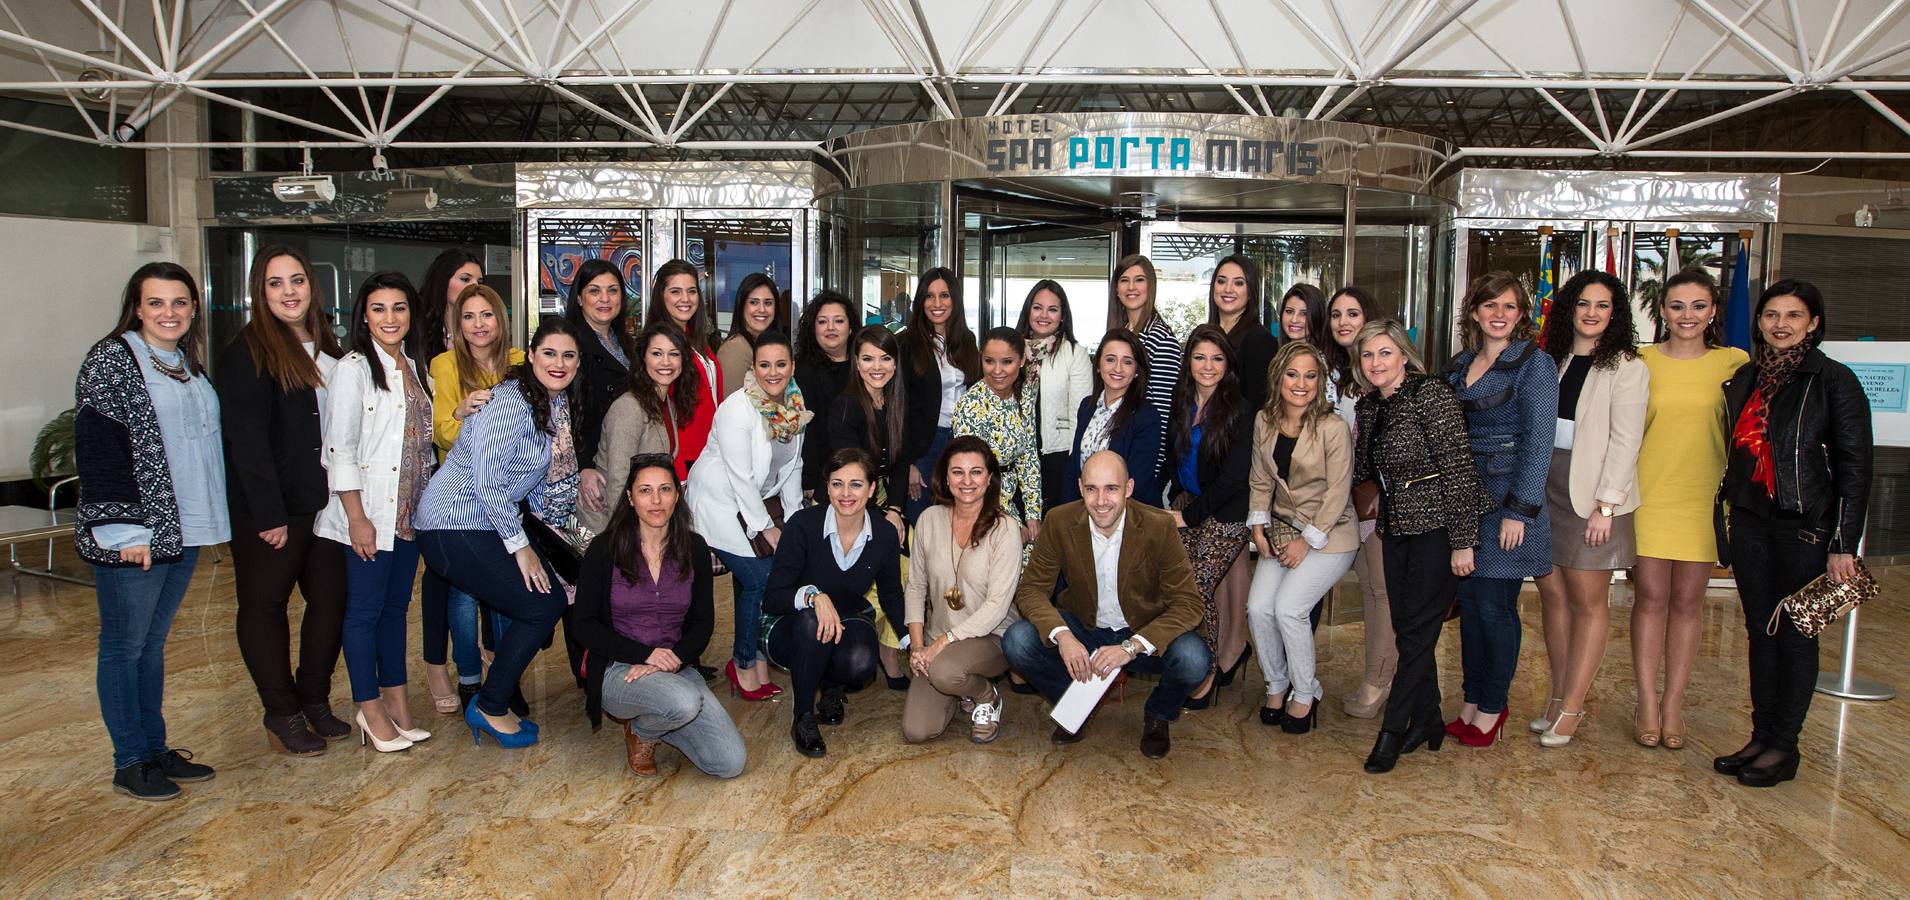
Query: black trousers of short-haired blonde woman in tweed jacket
[[1422, 588]]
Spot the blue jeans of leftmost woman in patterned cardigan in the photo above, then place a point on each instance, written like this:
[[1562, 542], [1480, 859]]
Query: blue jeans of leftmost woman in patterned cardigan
[[137, 611]]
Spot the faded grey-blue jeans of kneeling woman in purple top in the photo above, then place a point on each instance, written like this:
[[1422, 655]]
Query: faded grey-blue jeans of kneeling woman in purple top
[[677, 710]]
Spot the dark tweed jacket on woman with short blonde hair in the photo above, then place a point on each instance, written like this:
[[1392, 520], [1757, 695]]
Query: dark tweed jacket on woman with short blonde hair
[[1414, 444]]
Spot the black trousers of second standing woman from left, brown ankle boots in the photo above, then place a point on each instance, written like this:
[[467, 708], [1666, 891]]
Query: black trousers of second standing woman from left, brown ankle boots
[[265, 580]]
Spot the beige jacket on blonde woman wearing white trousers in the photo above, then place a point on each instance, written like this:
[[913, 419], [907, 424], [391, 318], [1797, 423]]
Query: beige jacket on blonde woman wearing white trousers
[[1317, 498]]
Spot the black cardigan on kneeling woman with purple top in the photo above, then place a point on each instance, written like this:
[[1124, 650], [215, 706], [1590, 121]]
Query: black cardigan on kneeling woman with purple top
[[589, 622]]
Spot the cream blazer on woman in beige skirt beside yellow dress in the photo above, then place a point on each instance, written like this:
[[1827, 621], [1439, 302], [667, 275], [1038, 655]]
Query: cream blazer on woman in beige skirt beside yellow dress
[[1607, 435]]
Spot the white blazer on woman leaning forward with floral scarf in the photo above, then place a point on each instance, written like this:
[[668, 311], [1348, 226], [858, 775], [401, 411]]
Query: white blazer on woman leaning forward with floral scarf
[[732, 477]]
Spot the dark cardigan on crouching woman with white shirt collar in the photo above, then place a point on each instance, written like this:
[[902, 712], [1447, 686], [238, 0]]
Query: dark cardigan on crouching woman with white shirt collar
[[805, 559]]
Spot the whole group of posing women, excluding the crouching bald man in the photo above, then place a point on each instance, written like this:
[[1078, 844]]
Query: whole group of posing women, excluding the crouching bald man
[[872, 498]]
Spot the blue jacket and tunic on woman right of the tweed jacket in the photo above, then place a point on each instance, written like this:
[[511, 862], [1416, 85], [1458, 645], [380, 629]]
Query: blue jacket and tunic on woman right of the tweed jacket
[[1510, 419]]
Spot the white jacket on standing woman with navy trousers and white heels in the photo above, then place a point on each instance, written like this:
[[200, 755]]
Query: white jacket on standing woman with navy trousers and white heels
[[364, 446]]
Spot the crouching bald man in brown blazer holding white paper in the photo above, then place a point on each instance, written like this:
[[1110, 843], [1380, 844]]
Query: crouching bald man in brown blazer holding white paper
[[1128, 601]]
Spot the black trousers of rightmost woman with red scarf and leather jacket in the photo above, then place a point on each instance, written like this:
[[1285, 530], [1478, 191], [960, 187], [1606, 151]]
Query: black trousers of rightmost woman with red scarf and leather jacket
[[1772, 559]]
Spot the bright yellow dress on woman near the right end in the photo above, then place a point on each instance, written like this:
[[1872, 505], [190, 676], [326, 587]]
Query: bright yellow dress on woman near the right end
[[1684, 454]]
